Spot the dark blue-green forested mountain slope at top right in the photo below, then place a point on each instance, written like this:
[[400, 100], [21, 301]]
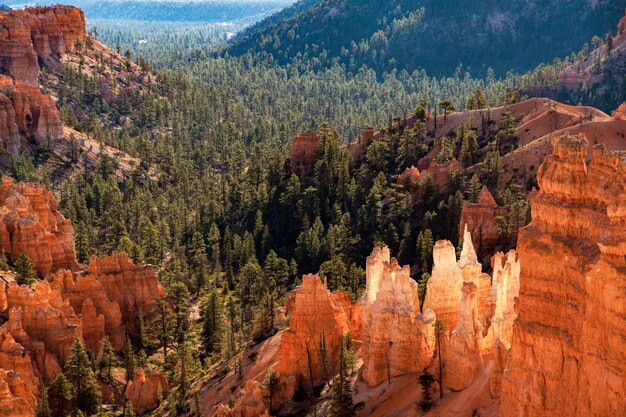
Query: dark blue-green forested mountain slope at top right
[[431, 34]]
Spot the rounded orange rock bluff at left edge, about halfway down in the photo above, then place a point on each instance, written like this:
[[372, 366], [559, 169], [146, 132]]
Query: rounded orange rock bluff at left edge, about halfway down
[[30, 223]]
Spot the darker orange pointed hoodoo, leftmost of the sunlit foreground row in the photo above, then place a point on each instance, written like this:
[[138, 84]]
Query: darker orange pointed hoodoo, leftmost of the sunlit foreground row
[[314, 318]]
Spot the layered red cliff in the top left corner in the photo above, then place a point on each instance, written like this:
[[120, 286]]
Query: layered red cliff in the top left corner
[[44, 32]]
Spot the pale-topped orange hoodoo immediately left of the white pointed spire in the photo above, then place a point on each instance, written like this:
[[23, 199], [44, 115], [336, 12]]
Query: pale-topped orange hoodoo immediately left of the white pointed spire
[[397, 339]]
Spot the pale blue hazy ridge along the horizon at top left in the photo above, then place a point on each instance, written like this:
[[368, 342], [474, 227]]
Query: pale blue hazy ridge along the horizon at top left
[[178, 11]]
